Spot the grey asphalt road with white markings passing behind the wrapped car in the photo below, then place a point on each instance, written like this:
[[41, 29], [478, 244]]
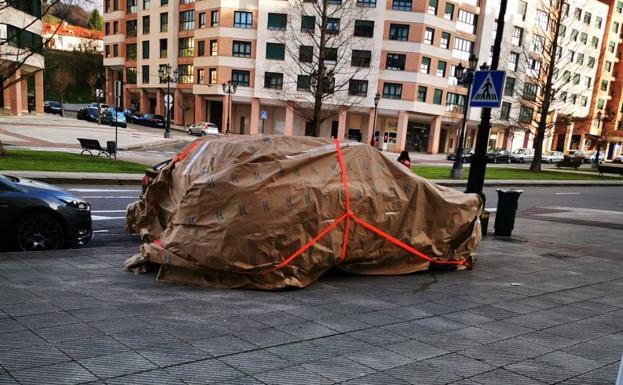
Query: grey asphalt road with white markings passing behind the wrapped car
[[109, 203]]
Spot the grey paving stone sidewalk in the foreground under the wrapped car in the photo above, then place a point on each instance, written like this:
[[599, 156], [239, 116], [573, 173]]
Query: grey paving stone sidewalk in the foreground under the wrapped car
[[544, 307]]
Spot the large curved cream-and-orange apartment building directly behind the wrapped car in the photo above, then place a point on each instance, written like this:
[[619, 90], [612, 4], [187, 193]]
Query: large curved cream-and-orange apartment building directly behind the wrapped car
[[408, 51]]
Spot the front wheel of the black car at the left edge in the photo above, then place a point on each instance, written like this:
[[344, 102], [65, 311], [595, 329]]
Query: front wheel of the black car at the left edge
[[39, 231]]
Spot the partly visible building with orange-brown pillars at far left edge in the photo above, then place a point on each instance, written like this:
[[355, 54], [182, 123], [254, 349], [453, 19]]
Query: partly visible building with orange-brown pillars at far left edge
[[21, 27]]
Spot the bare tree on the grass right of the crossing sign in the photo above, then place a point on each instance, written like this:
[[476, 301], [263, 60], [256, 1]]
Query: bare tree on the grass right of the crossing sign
[[553, 87]]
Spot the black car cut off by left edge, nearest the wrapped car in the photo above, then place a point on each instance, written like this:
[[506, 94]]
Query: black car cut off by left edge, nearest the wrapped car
[[39, 216]]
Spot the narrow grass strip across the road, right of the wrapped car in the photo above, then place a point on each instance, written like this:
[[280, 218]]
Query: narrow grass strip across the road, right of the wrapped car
[[442, 172]]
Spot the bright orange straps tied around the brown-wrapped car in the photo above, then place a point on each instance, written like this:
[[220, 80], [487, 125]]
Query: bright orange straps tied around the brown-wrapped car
[[344, 217]]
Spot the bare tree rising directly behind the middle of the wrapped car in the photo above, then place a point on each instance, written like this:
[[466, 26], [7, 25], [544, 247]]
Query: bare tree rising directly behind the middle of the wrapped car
[[318, 68]]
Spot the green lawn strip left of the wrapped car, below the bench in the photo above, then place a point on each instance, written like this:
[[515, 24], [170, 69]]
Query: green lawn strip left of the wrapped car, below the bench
[[27, 160]]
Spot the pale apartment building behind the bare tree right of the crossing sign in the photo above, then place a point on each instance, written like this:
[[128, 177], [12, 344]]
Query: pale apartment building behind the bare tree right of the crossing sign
[[578, 79]]
